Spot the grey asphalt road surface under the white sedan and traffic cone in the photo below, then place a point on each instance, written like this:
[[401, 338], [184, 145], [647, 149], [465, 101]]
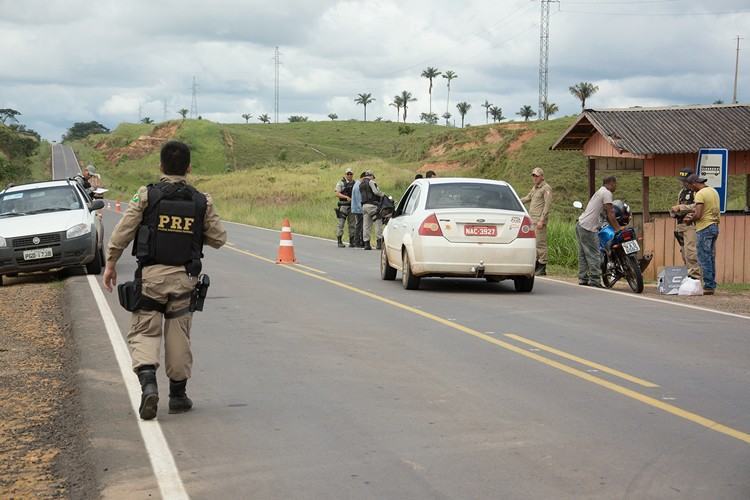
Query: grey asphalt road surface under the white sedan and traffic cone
[[323, 381]]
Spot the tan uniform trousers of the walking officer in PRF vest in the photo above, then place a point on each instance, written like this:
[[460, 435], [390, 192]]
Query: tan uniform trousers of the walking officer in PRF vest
[[164, 283]]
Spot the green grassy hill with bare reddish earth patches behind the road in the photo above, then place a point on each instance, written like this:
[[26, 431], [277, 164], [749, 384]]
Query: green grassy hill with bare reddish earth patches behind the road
[[261, 173]]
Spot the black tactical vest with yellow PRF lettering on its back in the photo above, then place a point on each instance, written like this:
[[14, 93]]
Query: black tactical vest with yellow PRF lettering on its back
[[171, 232]]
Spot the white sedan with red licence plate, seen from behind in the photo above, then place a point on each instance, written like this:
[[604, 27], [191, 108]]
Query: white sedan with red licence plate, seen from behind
[[460, 227]]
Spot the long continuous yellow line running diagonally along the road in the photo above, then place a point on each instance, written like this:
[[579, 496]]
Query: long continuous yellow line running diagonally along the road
[[647, 400]]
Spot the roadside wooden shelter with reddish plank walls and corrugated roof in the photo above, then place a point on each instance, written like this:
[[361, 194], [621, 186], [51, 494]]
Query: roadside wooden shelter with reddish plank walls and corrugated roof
[[658, 142]]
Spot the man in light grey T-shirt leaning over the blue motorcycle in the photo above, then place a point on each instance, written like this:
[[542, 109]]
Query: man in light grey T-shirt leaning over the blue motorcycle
[[598, 211]]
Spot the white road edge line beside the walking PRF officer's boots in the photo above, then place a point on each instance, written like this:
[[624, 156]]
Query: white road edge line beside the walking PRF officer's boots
[[162, 461]]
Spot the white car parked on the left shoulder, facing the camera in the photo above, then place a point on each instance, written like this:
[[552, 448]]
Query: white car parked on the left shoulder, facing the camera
[[49, 225]]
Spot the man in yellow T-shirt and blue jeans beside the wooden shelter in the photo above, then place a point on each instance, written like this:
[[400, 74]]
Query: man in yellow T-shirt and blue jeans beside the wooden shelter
[[706, 217]]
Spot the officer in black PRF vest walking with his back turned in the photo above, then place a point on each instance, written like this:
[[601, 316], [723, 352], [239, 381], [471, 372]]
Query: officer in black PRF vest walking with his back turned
[[169, 221]]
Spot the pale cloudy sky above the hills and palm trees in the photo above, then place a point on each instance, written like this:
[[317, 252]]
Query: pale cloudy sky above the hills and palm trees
[[64, 61]]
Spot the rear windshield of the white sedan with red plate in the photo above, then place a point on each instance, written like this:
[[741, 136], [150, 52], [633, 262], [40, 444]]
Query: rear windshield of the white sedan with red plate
[[472, 195]]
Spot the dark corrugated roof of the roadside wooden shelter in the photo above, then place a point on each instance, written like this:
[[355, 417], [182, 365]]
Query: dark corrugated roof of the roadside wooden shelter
[[671, 130]]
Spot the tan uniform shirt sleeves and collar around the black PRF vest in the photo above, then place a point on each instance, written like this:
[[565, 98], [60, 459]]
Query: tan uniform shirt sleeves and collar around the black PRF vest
[[214, 233]]
